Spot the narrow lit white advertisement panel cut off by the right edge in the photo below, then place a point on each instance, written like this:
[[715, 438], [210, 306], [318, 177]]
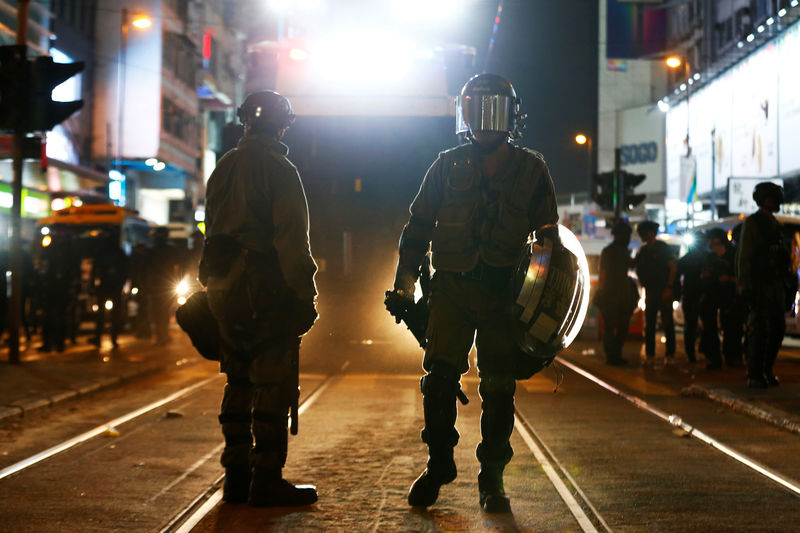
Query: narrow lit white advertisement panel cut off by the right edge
[[789, 111]]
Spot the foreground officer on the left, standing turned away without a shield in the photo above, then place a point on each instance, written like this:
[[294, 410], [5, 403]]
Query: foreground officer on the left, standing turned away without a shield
[[260, 276]]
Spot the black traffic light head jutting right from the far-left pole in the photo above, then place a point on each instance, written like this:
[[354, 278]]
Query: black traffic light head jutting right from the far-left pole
[[43, 112]]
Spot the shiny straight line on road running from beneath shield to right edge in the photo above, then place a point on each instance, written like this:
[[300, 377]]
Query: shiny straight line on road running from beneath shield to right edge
[[677, 421]]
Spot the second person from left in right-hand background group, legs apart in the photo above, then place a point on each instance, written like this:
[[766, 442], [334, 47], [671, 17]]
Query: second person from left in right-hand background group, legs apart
[[656, 269]]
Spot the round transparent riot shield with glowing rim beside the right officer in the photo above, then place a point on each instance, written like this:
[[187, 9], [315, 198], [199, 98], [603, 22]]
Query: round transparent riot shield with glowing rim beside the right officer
[[551, 292]]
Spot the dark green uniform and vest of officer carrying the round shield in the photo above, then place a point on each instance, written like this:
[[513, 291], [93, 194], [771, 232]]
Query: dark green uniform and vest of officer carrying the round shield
[[476, 226]]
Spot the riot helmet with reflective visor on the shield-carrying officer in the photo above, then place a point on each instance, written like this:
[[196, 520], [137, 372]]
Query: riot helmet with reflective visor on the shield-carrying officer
[[488, 102]]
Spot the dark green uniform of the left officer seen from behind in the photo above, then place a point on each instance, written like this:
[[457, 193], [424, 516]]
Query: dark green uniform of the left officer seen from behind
[[256, 197]]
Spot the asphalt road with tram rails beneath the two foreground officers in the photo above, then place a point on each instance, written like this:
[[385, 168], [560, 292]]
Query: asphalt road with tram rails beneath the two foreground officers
[[599, 457]]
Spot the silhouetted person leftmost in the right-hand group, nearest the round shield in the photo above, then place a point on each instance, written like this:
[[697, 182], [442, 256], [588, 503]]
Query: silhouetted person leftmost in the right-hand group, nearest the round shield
[[615, 293]]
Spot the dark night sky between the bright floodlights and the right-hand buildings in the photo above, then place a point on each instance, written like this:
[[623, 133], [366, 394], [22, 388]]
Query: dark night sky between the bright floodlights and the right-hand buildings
[[548, 50]]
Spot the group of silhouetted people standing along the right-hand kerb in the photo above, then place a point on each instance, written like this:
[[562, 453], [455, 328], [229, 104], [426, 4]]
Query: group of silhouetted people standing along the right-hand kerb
[[737, 287]]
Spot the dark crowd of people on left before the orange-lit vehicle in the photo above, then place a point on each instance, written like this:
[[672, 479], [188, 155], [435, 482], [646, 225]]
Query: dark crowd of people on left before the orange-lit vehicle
[[66, 284]]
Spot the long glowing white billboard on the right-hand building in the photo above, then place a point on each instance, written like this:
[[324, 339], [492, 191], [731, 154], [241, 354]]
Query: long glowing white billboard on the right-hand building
[[746, 121]]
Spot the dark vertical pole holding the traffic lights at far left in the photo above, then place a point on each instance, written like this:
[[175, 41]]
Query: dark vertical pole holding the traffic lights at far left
[[15, 301]]
